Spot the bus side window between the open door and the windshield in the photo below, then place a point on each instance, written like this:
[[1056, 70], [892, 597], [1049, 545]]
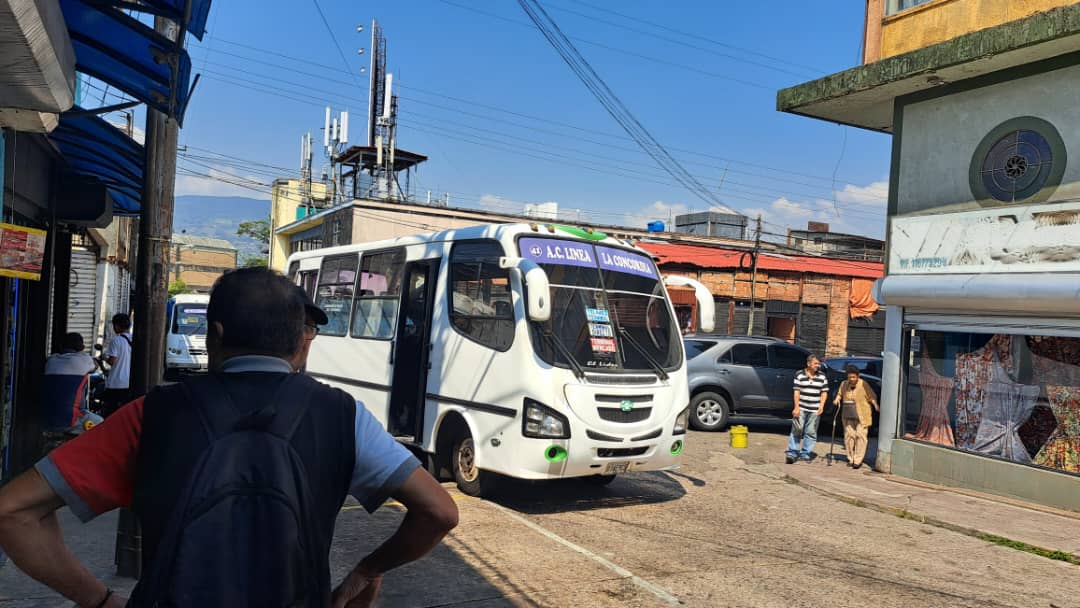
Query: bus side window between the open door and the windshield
[[482, 304]]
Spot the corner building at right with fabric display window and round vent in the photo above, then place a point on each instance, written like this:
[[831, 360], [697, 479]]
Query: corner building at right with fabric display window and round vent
[[982, 376]]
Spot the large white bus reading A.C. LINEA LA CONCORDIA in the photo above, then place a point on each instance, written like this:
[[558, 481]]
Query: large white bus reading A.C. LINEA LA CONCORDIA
[[531, 352]]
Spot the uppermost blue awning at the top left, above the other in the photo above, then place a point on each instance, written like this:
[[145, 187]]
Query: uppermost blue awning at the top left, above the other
[[130, 56]]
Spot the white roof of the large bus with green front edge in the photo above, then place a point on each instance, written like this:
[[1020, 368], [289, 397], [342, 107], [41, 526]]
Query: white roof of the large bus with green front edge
[[497, 232]]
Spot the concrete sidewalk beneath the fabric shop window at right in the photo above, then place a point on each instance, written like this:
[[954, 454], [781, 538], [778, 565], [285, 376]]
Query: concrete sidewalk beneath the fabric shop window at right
[[960, 510]]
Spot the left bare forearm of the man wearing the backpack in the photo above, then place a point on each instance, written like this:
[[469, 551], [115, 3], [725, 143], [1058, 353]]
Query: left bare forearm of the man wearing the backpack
[[31, 535]]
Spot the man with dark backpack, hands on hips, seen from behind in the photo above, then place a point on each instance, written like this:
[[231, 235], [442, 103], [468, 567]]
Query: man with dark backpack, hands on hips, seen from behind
[[238, 478]]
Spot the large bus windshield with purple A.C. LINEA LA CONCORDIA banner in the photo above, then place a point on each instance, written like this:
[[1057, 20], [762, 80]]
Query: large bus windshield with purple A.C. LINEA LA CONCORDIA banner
[[609, 308]]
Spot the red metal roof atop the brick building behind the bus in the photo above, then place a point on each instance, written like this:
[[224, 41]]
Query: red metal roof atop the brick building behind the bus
[[717, 258]]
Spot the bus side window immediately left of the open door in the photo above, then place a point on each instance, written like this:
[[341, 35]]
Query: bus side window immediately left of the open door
[[379, 293]]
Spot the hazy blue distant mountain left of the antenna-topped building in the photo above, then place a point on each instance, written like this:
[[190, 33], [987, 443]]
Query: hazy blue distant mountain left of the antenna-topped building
[[219, 218]]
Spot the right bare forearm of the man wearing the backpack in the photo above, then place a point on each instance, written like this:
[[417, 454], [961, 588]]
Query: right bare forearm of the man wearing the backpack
[[431, 514]]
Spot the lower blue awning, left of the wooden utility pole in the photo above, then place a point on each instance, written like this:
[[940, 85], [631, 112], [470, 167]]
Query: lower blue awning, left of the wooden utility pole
[[94, 148]]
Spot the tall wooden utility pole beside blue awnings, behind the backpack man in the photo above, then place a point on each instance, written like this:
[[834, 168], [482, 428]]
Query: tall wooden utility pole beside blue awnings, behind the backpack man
[[152, 288]]
